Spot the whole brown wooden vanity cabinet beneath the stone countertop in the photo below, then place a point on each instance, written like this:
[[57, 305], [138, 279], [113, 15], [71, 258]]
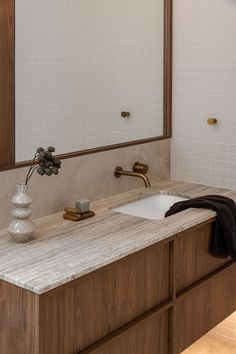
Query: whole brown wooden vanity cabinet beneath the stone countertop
[[156, 301]]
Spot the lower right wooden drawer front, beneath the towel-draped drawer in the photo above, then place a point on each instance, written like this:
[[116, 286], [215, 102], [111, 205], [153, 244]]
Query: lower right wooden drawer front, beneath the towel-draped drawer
[[203, 307]]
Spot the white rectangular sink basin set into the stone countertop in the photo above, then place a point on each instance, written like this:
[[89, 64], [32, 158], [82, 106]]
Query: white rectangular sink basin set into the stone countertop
[[153, 207]]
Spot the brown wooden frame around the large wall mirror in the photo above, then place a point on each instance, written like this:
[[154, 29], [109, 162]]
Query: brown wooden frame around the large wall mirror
[[7, 88]]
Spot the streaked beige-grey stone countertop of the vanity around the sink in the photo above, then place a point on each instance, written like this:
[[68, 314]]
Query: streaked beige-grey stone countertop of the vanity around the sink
[[63, 250]]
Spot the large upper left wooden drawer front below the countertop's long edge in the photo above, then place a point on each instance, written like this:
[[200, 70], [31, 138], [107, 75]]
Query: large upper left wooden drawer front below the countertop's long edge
[[88, 309]]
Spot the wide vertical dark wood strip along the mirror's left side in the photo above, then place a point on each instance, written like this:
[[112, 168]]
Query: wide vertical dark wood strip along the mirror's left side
[[7, 68]]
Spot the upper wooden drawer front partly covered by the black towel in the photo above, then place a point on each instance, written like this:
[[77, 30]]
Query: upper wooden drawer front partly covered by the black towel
[[193, 259]]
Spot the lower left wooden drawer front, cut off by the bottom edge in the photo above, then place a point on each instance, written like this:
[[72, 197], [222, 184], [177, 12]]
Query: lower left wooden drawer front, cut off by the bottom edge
[[147, 337]]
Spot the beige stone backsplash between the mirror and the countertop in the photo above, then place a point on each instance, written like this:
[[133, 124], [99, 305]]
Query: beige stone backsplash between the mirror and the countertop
[[88, 176]]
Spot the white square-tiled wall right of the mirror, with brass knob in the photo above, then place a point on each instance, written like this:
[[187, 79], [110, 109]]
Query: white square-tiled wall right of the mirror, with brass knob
[[204, 85]]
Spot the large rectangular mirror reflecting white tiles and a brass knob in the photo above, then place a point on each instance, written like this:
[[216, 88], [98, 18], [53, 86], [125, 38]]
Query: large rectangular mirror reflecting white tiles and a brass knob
[[90, 74]]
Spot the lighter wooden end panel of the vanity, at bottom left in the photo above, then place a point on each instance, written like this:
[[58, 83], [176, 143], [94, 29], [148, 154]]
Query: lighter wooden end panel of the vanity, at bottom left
[[19, 320]]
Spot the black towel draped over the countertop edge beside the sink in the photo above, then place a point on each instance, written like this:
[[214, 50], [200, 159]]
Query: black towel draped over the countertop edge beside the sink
[[223, 243]]
